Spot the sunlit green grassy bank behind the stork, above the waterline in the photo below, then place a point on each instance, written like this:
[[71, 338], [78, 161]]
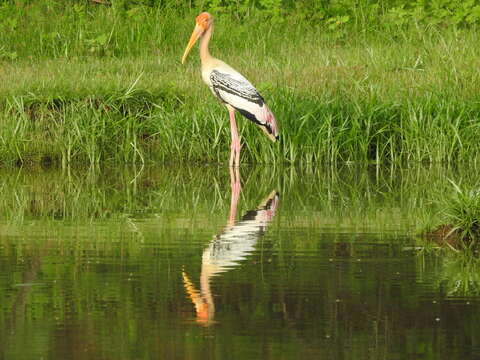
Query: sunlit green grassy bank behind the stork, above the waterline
[[89, 84]]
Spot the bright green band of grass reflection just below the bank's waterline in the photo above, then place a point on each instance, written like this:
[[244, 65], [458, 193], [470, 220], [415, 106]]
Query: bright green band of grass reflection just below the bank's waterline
[[343, 198]]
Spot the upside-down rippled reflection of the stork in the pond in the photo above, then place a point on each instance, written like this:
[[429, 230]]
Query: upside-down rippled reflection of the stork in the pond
[[227, 249]]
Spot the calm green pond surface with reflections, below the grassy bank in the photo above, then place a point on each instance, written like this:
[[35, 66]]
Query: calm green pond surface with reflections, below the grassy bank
[[208, 263]]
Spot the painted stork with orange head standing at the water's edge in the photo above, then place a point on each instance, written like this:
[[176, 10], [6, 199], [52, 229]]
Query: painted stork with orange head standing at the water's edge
[[231, 88]]
